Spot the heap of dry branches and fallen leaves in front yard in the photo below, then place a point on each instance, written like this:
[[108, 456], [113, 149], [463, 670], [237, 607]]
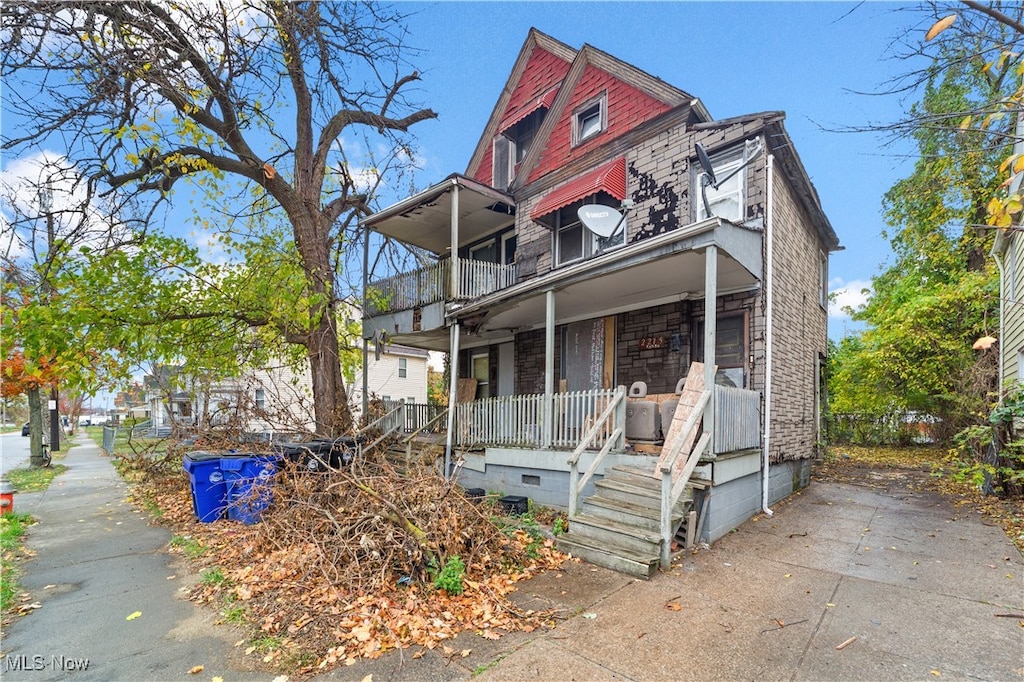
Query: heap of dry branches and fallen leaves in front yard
[[343, 566]]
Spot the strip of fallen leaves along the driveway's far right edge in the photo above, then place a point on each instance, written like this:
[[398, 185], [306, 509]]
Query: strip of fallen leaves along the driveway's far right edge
[[922, 470]]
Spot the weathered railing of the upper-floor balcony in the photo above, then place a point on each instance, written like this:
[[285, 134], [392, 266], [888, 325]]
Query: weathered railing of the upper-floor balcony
[[434, 283]]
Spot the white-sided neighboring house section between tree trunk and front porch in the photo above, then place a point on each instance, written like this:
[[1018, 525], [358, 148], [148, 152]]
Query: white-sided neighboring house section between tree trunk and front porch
[[398, 373]]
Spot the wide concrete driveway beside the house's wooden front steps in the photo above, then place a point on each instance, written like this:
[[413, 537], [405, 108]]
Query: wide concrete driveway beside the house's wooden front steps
[[915, 588]]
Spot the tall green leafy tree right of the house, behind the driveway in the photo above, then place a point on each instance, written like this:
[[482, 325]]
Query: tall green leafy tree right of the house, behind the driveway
[[942, 292]]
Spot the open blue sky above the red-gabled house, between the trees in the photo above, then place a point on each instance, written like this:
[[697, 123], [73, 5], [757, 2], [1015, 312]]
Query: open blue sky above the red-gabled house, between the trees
[[806, 59]]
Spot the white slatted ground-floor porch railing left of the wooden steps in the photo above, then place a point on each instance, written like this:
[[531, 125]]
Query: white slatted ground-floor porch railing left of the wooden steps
[[519, 420]]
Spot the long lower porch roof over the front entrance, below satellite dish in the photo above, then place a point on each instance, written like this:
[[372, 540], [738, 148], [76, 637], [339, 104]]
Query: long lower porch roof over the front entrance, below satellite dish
[[669, 268]]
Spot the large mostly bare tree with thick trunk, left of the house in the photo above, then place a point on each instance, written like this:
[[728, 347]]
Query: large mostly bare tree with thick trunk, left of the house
[[262, 100]]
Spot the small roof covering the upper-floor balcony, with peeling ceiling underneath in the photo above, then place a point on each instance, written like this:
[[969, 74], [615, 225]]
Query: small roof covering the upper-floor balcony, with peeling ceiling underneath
[[424, 220]]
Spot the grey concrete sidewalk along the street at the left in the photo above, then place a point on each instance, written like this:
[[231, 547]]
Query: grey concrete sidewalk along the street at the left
[[98, 562]]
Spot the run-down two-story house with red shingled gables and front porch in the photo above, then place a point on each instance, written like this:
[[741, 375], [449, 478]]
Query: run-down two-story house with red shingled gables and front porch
[[611, 237]]
